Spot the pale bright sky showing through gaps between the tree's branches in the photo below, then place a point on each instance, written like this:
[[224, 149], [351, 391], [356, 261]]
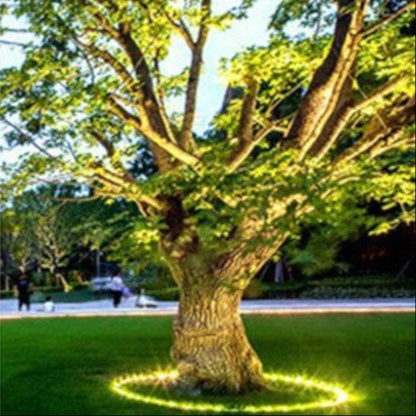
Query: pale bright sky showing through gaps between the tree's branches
[[252, 31]]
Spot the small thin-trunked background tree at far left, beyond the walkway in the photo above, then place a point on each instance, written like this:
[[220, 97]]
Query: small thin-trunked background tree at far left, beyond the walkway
[[42, 233]]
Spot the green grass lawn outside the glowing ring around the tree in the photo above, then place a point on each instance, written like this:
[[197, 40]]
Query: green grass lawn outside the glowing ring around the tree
[[65, 366]]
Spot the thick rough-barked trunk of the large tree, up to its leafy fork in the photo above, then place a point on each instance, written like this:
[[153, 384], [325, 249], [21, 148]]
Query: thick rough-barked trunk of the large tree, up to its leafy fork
[[210, 347]]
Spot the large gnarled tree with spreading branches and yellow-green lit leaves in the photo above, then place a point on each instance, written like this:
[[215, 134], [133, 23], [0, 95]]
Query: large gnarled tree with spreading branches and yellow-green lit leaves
[[312, 125]]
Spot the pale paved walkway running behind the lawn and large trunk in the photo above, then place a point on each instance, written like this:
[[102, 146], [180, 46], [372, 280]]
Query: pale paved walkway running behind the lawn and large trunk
[[8, 308]]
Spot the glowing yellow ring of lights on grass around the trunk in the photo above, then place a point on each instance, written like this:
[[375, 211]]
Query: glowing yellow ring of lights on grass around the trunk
[[337, 396]]
